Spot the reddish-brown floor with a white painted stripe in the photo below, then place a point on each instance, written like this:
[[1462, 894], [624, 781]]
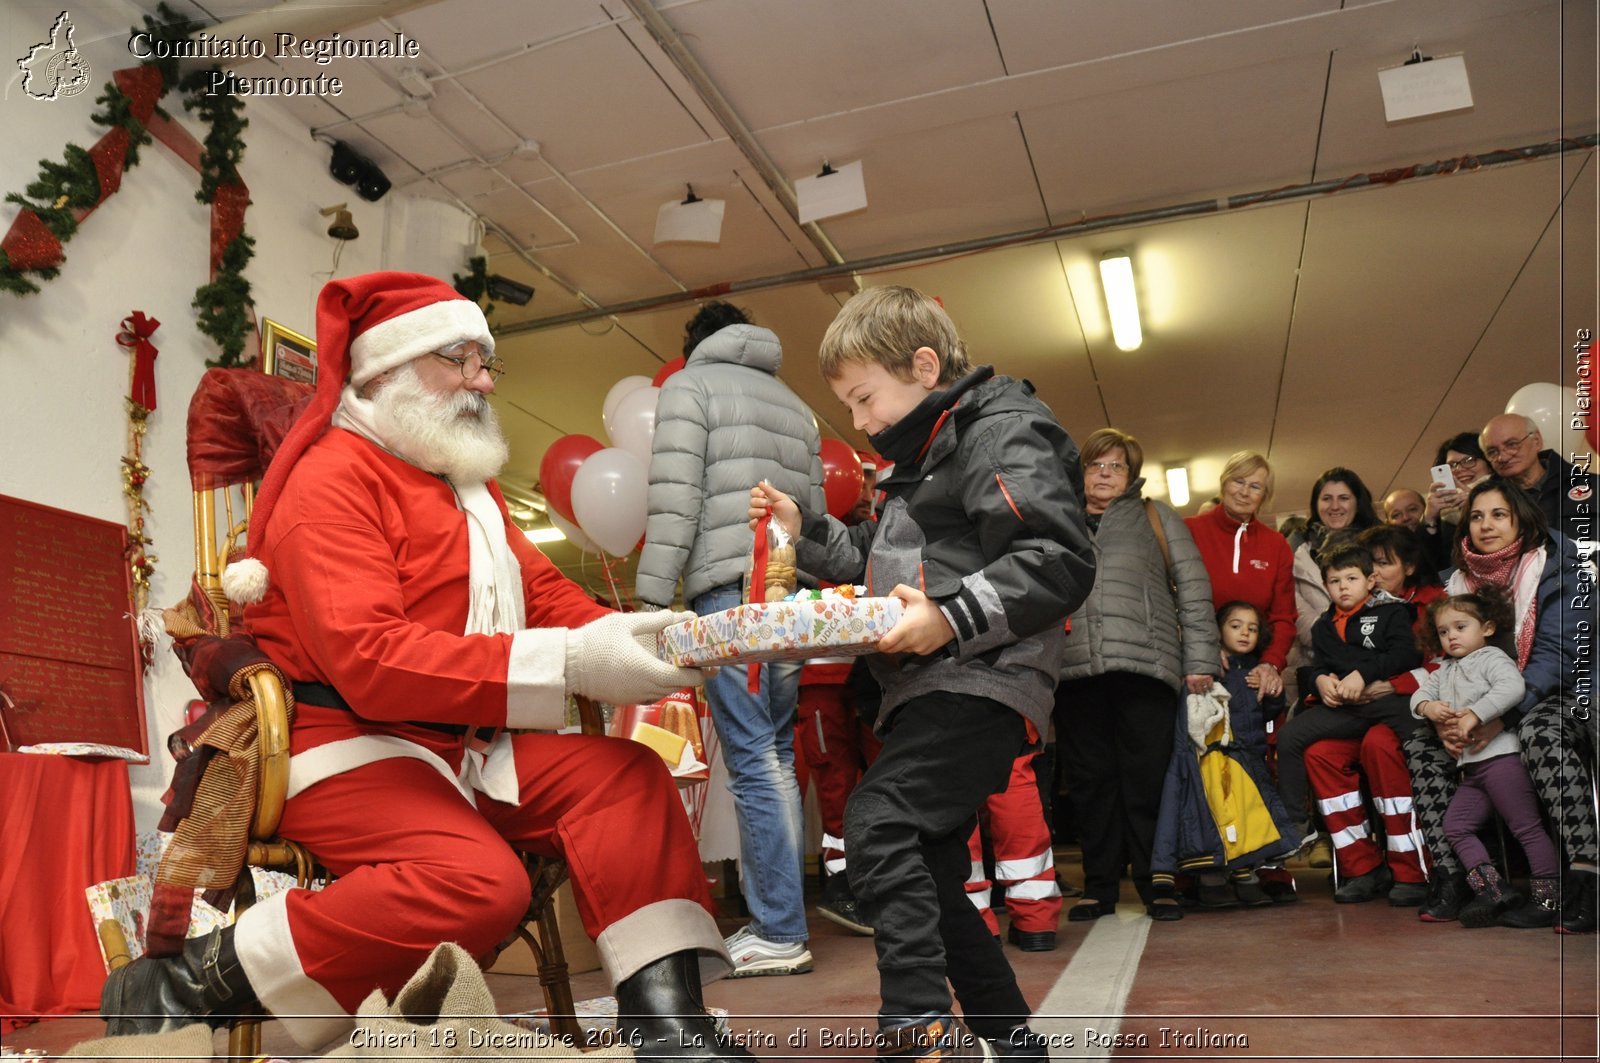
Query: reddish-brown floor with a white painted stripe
[[1305, 982]]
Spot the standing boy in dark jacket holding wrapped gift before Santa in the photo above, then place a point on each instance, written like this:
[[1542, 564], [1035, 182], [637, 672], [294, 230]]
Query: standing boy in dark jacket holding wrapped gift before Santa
[[982, 536]]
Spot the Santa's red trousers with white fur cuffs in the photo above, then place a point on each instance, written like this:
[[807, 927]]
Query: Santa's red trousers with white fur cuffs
[[417, 864]]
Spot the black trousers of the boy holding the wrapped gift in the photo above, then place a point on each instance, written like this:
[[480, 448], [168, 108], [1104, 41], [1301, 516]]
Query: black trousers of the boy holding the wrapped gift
[[906, 830]]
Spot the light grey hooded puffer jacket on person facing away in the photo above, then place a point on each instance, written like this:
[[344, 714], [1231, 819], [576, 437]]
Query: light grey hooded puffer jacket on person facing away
[[724, 423]]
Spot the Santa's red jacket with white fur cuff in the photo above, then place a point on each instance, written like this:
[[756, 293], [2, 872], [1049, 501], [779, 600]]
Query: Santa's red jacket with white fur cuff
[[369, 563]]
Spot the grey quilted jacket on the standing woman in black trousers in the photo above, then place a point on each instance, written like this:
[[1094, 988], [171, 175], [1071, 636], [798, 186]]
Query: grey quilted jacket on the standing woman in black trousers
[[1134, 622]]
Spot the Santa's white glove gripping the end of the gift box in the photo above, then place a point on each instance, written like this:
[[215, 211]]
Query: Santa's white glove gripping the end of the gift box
[[614, 659]]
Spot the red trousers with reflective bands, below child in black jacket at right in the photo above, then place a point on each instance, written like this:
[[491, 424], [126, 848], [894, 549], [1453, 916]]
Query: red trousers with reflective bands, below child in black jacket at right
[[1335, 768]]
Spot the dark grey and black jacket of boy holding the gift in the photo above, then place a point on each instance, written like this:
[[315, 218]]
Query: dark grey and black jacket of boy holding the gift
[[990, 526]]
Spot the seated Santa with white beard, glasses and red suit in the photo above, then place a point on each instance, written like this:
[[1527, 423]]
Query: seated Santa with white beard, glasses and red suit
[[417, 625]]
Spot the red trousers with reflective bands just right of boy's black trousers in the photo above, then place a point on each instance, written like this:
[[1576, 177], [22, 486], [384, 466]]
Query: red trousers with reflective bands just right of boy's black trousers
[[1025, 857]]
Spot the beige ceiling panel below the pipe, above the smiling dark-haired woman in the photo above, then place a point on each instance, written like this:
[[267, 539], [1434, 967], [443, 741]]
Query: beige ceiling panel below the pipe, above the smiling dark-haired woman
[[1364, 383]]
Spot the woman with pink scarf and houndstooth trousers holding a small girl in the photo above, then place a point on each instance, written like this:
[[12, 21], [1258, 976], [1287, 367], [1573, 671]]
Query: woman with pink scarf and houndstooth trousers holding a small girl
[[1508, 545]]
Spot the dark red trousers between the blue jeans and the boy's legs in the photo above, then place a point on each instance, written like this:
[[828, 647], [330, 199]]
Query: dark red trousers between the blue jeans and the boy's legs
[[838, 747]]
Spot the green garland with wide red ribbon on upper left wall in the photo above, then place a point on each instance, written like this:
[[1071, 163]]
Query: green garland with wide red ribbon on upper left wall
[[65, 195]]
